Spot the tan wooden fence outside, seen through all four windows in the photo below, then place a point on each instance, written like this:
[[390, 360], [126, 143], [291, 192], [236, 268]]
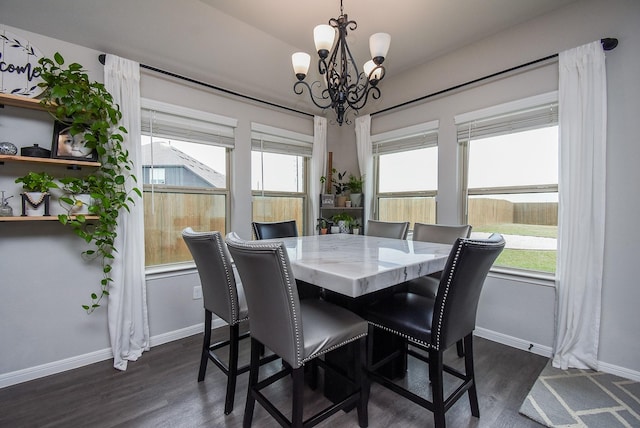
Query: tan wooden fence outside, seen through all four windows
[[170, 213]]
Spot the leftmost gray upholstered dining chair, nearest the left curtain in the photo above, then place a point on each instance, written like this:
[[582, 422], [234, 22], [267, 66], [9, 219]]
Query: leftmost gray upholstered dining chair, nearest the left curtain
[[223, 295]]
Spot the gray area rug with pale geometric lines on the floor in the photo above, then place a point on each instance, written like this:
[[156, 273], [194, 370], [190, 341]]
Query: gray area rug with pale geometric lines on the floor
[[582, 398]]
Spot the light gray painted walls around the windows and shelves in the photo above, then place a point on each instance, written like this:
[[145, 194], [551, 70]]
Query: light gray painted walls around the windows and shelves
[[44, 330]]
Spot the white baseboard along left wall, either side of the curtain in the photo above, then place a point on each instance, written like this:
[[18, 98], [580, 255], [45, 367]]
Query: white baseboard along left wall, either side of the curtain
[[36, 372]]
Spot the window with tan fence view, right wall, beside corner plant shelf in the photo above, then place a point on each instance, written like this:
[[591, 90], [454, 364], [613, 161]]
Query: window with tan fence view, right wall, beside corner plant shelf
[[403, 196]]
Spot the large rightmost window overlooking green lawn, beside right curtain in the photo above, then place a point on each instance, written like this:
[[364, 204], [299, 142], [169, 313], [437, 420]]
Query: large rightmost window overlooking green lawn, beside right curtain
[[511, 176]]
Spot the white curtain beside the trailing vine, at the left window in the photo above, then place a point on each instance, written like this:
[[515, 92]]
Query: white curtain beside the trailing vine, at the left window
[[127, 308]]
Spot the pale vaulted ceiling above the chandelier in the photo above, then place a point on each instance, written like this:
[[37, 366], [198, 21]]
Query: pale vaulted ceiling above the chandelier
[[245, 45]]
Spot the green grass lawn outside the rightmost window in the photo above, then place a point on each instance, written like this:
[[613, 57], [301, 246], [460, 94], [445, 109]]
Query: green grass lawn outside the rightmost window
[[537, 260]]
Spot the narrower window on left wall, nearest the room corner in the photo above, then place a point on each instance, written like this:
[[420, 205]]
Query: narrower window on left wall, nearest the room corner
[[278, 174]]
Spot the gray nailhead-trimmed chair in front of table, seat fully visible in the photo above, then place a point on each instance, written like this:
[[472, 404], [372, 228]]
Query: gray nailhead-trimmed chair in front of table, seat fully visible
[[298, 331]]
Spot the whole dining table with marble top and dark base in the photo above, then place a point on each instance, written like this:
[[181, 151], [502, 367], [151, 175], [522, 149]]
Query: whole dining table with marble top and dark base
[[354, 270]]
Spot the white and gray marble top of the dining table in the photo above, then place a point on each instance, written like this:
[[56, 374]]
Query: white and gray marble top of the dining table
[[354, 265]]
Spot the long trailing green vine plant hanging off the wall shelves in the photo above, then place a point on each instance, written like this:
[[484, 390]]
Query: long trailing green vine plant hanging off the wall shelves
[[88, 109]]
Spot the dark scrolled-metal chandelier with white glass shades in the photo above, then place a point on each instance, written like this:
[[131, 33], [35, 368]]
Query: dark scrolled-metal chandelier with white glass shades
[[343, 86]]
